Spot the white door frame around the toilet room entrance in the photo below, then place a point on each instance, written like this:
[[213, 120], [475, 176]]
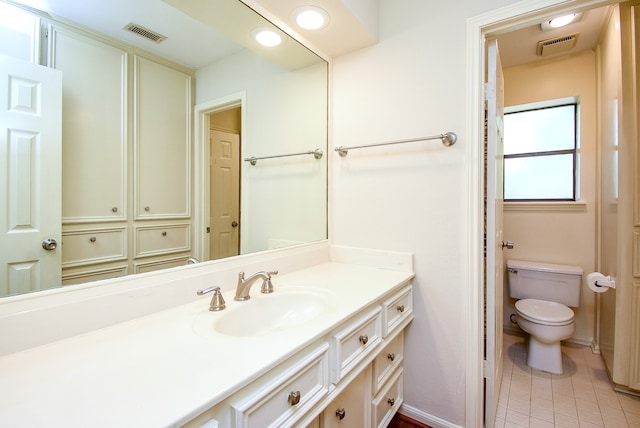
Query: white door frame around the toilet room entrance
[[479, 28]]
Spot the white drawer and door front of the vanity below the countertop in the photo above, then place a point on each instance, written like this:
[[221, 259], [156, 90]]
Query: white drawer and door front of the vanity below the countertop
[[350, 377]]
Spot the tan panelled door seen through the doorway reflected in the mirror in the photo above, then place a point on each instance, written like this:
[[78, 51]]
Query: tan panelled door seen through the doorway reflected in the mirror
[[225, 194]]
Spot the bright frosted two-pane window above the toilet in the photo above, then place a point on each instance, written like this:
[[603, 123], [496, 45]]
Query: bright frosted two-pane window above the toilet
[[540, 153]]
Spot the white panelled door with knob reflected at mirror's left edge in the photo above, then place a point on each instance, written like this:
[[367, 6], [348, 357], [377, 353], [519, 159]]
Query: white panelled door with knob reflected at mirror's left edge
[[31, 152]]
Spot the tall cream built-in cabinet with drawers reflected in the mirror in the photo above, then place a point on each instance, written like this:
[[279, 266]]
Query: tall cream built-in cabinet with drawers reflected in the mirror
[[126, 173]]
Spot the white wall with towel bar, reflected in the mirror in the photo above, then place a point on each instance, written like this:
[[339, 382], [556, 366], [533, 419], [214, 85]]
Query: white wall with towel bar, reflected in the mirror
[[282, 199]]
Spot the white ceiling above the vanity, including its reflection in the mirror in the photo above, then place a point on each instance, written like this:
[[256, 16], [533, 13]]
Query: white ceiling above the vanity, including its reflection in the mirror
[[214, 24]]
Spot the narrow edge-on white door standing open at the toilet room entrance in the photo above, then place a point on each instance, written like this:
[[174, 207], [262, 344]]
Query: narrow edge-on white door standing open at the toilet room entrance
[[494, 269]]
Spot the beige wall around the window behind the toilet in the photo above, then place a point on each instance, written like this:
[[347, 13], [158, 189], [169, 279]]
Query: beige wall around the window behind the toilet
[[551, 234]]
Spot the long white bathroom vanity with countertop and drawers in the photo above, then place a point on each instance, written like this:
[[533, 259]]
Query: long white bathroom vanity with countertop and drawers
[[325, 349]]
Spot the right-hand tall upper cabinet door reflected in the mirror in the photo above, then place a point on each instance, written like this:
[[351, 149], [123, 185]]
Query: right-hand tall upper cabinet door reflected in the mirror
[[162, 118]]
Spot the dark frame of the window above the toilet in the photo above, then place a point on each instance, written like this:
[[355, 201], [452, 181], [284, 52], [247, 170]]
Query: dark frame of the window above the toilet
[[572, 101]]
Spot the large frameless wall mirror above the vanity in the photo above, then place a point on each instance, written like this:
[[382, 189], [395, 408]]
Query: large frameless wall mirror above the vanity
[[181, 138]]
